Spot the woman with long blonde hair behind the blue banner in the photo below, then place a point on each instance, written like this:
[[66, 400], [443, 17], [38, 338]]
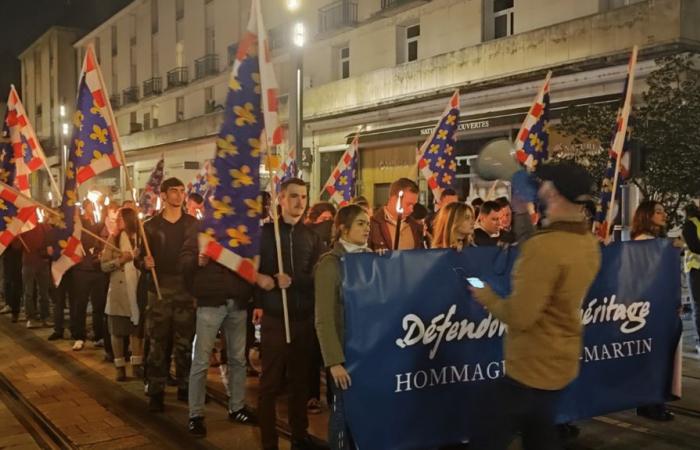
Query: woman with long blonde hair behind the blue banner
[[454, 227]]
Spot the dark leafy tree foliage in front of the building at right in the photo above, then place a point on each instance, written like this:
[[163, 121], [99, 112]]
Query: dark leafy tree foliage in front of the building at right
[[666, 126]]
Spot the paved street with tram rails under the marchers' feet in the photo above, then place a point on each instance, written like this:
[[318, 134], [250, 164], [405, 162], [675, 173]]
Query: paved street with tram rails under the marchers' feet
[[75, 393]]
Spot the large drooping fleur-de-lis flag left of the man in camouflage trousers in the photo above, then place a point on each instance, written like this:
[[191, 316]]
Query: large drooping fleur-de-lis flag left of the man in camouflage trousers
[[93, 150]]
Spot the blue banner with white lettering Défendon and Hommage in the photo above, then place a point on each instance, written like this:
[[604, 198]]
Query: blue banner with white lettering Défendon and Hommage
[[420, 350]]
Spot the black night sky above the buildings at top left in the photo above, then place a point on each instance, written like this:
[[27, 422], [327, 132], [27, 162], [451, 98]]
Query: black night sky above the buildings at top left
[[23, 21]]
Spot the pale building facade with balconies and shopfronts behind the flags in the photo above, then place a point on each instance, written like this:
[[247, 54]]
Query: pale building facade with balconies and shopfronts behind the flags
[[387, 65]]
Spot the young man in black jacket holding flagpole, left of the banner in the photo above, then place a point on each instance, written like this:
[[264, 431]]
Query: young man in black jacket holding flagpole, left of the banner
[[300, 250]]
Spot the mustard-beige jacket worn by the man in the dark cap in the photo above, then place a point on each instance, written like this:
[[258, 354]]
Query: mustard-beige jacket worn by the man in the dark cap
[[551, 277]]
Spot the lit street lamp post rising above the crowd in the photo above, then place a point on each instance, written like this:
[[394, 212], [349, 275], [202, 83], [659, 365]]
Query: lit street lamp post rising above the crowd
[[298, 38]]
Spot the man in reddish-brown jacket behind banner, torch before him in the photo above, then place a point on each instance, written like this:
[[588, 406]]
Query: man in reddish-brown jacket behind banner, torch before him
[[383, 223]]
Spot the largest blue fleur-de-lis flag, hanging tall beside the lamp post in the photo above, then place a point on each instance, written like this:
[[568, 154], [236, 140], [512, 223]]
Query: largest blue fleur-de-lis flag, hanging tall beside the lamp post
[[231, 225]]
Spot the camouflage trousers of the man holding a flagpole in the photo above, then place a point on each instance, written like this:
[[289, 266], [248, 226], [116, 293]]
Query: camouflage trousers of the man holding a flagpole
[[171, 318]]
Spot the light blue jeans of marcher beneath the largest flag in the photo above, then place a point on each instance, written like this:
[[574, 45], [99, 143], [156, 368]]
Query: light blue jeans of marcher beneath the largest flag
[[232, 320]]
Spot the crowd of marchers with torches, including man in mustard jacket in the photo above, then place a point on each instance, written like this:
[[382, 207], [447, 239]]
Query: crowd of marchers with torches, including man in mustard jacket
[[177, 321]]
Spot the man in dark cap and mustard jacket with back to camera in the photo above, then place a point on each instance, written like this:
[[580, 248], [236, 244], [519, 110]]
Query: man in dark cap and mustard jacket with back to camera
[[554, 270]]
